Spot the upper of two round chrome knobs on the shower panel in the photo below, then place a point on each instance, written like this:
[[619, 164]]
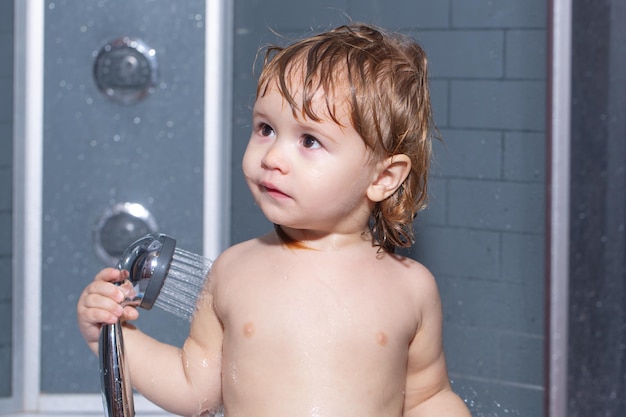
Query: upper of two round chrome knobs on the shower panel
[[126, 70]]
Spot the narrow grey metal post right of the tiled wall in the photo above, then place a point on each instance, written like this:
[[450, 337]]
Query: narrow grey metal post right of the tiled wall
[[557, 267]]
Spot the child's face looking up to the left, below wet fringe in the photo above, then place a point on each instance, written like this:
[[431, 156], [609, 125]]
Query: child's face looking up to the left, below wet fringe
[[306, 174]]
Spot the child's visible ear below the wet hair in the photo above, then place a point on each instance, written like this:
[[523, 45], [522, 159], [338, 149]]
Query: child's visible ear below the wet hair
[[391, 173]]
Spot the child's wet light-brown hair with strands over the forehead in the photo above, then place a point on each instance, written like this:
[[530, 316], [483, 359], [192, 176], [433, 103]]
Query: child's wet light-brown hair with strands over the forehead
[[383, 78]]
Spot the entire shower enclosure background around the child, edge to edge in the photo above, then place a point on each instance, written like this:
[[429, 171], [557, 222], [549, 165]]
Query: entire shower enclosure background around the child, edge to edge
[[129, 114]]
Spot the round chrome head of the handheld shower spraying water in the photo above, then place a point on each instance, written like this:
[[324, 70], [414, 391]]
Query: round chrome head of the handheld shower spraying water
[[147, 261]]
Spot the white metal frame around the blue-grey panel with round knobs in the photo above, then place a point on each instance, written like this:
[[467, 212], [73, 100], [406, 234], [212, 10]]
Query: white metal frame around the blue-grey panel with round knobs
[[28, 185]]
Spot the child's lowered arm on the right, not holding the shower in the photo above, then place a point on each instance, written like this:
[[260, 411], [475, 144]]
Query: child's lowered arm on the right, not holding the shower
[[428, 390]]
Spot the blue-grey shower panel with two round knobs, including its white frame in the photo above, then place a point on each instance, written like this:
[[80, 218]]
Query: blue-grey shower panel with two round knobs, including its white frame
[[122, 128]]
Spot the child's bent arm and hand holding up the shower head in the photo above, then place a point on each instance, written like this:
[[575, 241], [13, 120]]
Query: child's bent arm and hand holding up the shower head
[[185, 381]]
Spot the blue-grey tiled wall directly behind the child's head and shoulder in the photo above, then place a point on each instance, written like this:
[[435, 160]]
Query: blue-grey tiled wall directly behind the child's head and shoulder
[[483, 233]]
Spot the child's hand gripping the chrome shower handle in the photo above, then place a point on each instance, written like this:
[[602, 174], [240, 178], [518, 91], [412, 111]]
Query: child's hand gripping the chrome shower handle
[[100, 304]]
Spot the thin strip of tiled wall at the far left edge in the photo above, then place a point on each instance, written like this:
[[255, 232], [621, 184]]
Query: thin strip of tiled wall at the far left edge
[[6, 195]]
